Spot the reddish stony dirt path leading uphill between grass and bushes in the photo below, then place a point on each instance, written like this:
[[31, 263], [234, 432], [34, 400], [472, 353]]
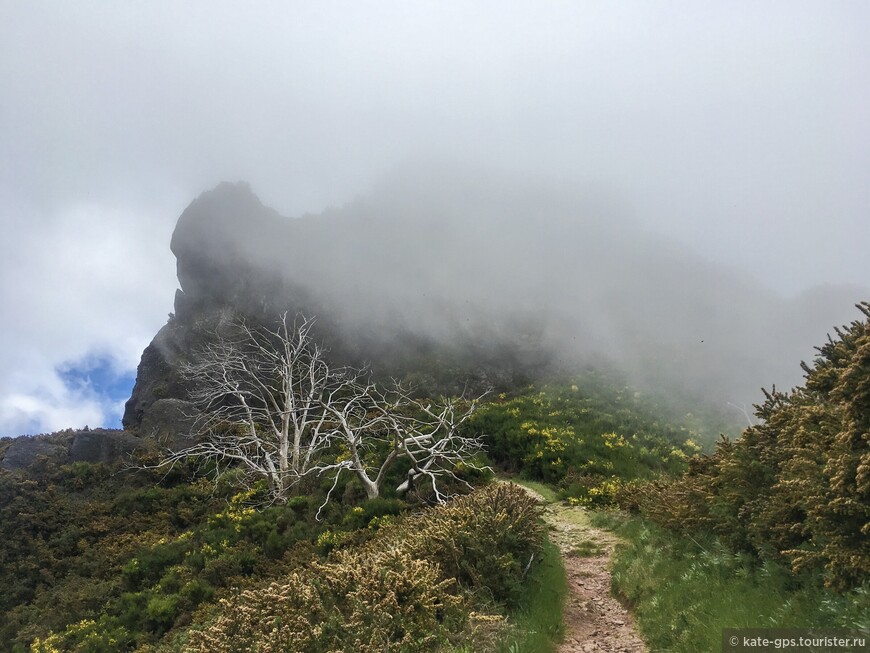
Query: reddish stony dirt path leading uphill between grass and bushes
[[594, 620]]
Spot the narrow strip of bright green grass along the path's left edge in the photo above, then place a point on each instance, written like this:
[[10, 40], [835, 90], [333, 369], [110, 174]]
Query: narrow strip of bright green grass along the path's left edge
[[537, 622]]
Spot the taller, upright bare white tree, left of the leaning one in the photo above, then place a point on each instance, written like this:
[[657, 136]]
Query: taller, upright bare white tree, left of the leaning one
[[260, 393]]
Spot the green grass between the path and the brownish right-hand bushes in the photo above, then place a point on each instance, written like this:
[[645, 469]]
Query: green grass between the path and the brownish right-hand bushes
[[684, 591]]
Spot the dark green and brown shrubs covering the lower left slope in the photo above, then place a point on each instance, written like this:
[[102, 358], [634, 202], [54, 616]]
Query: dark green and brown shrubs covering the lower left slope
[[133, 549]]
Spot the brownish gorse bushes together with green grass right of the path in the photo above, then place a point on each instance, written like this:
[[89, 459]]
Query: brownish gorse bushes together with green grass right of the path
[[769, 531]]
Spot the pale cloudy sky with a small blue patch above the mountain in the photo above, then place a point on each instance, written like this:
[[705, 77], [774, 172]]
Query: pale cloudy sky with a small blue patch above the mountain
[[737, 128]]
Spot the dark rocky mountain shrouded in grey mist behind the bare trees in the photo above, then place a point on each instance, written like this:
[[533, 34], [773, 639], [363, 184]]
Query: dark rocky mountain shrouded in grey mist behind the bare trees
[[497, 278]]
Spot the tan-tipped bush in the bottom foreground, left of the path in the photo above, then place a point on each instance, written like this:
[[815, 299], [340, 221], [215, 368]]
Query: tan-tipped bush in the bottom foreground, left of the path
[[367, 601]]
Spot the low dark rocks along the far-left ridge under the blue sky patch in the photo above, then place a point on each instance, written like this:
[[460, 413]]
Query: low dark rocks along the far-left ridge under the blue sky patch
[[93, 446]]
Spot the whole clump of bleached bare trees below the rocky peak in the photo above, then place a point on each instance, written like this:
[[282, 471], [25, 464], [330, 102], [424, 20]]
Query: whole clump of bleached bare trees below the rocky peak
[[272, 407]]
